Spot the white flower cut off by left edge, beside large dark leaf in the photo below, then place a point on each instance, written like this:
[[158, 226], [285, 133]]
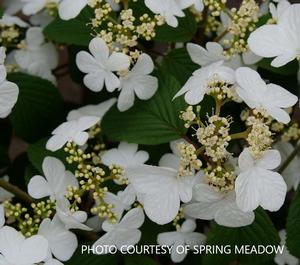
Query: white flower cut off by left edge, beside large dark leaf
[[8, 91]]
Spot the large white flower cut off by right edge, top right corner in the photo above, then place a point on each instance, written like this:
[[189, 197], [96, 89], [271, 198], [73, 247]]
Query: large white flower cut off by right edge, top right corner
[[280, 40]]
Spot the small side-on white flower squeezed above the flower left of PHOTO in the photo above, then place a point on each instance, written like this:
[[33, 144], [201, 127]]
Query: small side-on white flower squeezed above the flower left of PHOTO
[[71, 219]]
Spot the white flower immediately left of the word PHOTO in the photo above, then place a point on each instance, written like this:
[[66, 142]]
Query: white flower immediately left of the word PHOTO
[[62, 243]]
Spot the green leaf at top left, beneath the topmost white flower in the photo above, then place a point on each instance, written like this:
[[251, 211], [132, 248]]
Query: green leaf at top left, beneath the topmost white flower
[[74, 31]]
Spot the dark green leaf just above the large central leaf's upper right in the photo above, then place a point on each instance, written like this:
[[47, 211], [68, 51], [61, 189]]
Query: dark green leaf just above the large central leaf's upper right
[[179, 64]]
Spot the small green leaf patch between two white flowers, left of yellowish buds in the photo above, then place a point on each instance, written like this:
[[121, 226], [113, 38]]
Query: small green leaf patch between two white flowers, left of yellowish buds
[[37, 151]]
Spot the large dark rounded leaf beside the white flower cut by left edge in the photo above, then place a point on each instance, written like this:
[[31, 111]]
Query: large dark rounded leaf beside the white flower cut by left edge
[[39, 108]]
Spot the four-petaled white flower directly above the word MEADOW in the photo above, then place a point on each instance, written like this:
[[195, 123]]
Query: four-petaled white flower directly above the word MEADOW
[[257, 185]]
